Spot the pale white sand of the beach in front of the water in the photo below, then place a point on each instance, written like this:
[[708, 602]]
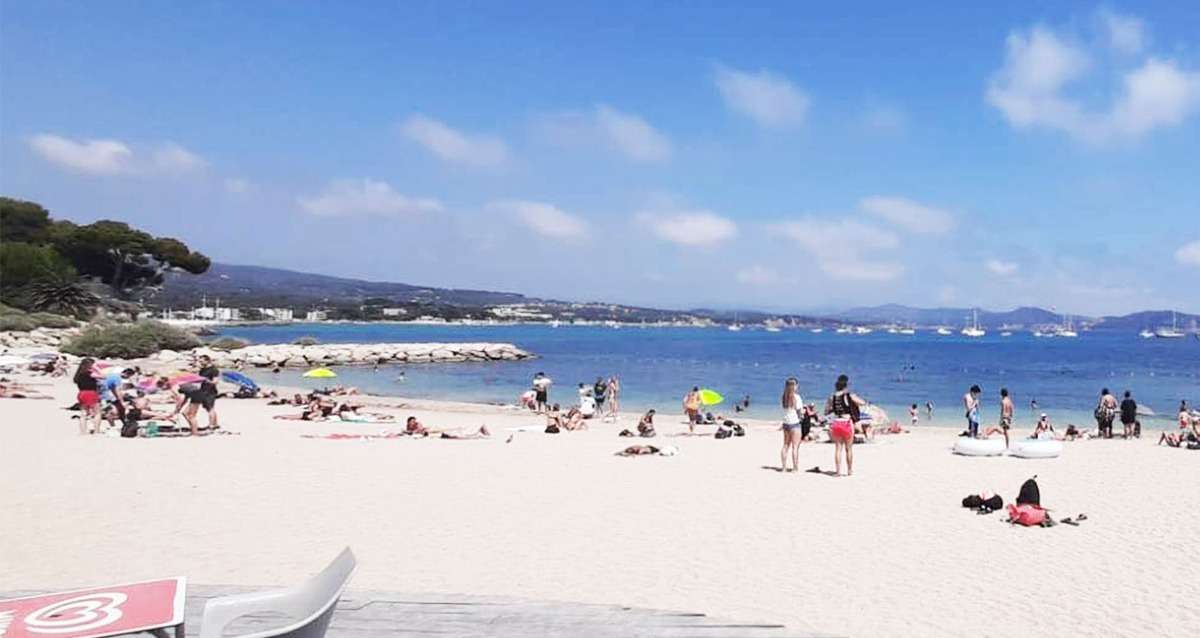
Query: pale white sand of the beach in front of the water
[[887, 552]]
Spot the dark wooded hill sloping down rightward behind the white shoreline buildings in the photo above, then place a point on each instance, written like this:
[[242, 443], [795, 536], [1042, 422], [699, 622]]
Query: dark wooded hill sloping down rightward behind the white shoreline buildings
[[275, 287]]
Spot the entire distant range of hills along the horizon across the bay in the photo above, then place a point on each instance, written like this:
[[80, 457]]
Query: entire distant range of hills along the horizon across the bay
[[238, 286]]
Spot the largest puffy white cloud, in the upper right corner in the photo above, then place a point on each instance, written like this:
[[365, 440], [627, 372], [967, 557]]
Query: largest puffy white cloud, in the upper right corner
[[1040, 65]]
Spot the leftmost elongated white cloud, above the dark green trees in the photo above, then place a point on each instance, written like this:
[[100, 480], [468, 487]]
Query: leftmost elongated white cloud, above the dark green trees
[[115, 158]]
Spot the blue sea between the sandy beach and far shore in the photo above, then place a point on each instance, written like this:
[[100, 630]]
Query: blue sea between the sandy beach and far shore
[[657, 366]]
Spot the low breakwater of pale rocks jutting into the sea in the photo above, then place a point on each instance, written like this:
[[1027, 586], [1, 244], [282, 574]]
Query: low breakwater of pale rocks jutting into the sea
[[335, 354]]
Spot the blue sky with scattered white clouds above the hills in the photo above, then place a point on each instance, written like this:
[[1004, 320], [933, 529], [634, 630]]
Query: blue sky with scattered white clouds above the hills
[[773, 155]]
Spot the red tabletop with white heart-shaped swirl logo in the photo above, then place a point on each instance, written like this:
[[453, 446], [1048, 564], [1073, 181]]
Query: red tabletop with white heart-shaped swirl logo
[[95, 613]]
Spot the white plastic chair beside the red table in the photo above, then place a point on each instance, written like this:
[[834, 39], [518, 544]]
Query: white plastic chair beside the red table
[[309, 606]]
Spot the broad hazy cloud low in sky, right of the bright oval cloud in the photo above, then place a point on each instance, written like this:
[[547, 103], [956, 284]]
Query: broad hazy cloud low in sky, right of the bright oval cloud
[[847, 249]]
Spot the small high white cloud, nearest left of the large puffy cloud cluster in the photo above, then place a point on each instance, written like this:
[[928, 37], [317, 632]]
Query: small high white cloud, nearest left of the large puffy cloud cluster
[[767, 99]]
